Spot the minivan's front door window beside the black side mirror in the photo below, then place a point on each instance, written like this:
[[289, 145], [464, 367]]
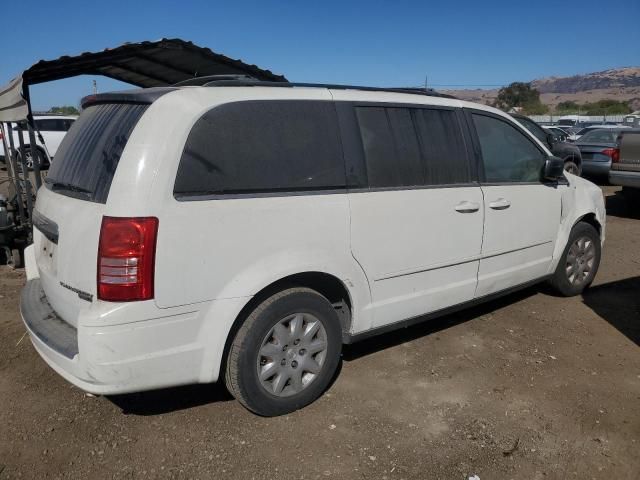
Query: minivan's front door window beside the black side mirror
[[508, 155]]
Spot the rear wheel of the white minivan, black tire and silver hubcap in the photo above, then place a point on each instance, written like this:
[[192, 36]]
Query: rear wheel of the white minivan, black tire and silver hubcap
[[285, 354]]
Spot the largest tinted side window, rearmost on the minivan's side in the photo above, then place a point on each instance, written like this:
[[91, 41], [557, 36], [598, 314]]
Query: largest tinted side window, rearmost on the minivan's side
[[262, 146]]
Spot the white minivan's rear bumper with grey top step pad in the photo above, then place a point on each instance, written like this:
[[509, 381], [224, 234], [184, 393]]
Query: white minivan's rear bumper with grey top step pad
[[143, 355]]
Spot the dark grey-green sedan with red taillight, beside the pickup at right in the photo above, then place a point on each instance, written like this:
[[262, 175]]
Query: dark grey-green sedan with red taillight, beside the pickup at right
[[599, 148]]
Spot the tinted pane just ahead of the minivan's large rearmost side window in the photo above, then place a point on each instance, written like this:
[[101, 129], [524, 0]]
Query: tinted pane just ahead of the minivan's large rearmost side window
[[390, 147]]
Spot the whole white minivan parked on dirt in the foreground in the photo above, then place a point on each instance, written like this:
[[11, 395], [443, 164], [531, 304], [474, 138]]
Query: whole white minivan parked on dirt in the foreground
[[245, 231]]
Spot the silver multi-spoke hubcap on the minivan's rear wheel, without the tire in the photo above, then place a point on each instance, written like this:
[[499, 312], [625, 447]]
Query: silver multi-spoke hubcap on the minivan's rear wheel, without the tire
[[292, 354]]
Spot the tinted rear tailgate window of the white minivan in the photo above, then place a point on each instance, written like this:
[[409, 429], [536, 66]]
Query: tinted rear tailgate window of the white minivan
[[88, 156]]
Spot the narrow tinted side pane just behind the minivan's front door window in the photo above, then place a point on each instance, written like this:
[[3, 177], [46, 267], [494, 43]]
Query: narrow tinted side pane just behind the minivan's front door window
[[442, 146]]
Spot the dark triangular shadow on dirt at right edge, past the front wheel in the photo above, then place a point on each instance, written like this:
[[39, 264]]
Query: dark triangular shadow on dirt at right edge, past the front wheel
[[619, 304]]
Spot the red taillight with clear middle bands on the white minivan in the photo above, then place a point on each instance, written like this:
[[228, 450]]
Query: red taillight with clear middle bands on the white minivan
[[126, 258]]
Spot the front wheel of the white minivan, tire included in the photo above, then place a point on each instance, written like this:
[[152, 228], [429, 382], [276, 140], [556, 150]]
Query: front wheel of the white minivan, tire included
[[579, 262]]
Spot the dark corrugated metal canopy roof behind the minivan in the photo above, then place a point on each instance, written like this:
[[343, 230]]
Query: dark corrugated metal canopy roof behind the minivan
[[143, 64]]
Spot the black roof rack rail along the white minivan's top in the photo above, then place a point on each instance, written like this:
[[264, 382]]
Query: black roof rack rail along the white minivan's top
[[241, 82]]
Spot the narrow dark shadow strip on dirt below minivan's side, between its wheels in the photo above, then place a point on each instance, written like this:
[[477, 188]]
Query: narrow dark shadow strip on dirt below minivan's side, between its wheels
[[434, 325]]
